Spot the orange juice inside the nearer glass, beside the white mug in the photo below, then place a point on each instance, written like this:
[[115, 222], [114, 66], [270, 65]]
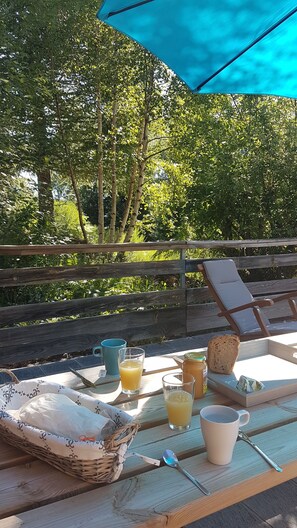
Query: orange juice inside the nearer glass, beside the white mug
[[179, 405]]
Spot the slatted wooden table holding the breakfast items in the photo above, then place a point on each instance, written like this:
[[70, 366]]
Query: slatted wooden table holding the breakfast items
[[35, 495]]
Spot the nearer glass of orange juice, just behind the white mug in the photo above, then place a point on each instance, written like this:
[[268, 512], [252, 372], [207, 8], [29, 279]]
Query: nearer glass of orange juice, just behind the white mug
[[178, 389]]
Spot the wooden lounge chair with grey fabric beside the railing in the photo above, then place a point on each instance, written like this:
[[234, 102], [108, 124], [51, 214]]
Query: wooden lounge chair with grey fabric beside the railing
[[237, 304]]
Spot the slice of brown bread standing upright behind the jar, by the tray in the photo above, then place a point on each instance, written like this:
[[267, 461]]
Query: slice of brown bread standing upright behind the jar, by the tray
[[222, 353]]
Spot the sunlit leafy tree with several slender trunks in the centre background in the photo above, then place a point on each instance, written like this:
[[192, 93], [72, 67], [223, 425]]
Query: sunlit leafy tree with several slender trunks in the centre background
[[128, 100]]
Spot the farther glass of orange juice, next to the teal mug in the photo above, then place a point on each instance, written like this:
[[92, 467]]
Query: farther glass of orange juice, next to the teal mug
[[131, 366]]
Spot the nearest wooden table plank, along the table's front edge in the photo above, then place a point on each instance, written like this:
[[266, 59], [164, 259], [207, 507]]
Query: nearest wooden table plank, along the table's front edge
[[147, 500]]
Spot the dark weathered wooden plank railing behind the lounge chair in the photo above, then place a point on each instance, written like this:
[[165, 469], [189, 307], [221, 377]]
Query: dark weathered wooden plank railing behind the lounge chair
[[77, 324]]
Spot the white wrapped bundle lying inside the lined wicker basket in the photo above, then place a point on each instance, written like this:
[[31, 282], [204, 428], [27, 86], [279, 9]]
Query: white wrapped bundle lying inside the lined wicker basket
[[56, 413]]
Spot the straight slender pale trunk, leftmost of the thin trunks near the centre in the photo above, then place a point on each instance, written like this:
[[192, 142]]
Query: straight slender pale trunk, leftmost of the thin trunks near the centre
[[100, 171]]
